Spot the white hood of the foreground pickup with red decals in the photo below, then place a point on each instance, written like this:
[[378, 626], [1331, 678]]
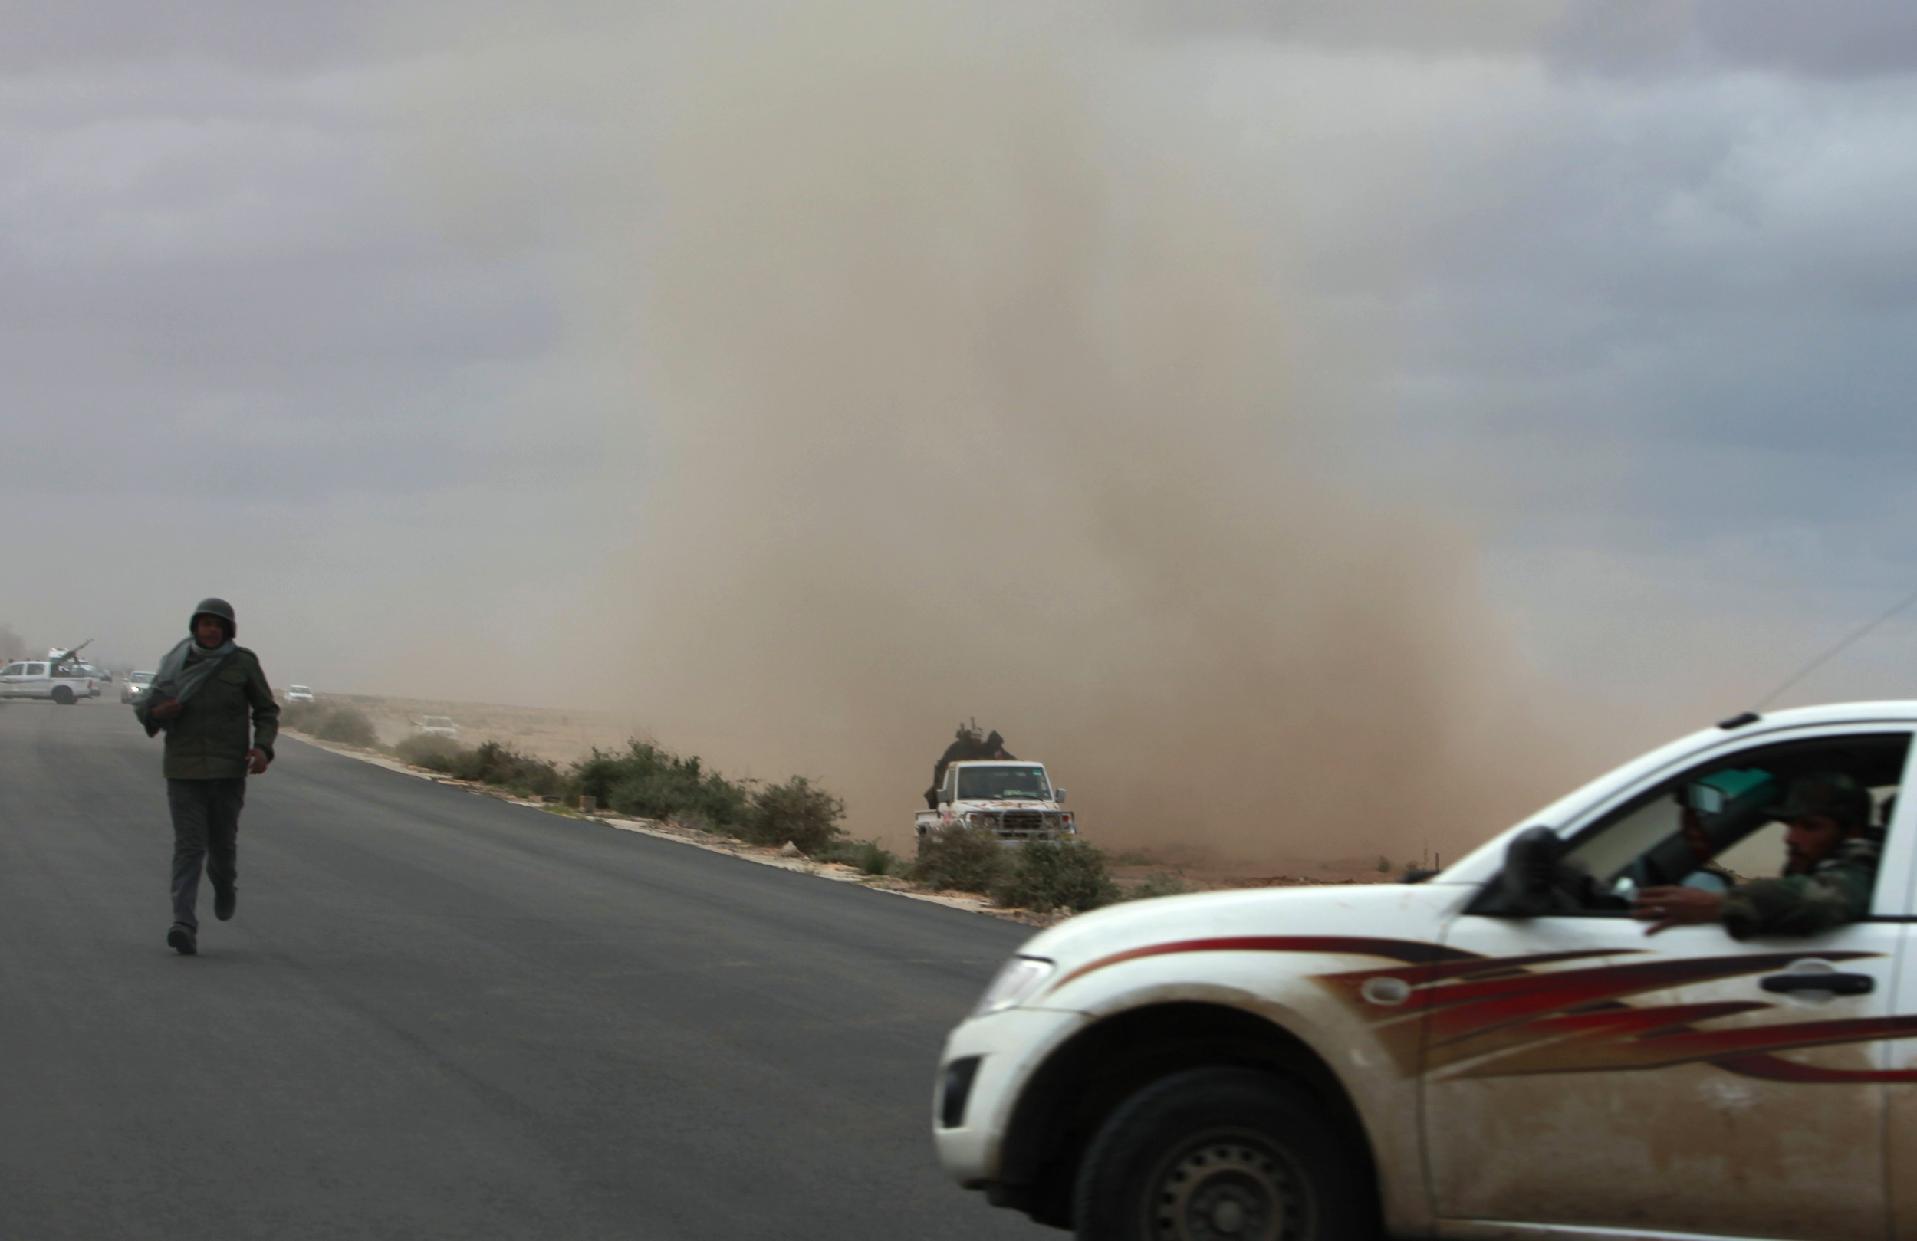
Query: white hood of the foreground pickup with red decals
[[1368, 912]]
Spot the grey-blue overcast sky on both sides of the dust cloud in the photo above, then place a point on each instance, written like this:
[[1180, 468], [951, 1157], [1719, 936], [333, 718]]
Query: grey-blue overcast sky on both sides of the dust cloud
[[298, 308]]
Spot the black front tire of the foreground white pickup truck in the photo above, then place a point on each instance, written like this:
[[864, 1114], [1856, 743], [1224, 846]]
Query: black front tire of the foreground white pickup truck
[[1222, 1156]]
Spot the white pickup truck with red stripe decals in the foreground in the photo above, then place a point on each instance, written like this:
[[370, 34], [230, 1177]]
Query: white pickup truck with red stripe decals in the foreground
[[1496, 1052]]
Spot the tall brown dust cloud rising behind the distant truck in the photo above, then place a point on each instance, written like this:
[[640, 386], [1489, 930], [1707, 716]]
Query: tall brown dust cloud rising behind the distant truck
[[965, 385]]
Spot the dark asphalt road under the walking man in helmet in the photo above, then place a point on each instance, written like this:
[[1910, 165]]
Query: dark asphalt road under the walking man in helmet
[[440, 1016]]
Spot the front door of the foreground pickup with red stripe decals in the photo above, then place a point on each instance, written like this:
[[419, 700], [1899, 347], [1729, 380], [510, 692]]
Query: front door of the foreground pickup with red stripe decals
[[1582, 1075]]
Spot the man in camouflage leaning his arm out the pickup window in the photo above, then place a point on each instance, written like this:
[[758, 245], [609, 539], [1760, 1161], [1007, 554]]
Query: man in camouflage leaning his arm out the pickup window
[[1830, 872]]
